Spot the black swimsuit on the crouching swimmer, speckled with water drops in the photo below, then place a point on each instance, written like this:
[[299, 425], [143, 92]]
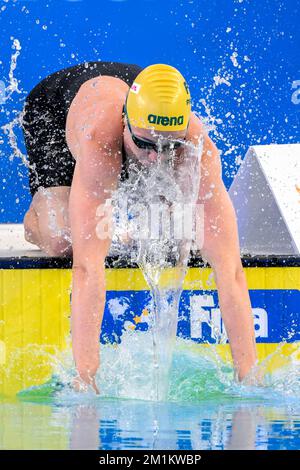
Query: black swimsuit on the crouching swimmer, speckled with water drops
[[44, 121]]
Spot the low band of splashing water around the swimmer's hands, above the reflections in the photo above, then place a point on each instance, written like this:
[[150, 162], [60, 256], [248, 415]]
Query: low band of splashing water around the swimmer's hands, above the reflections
[[197, 374]]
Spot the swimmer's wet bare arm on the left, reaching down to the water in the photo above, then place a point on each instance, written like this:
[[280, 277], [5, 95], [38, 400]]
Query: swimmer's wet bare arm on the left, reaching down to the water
[[96, 174]]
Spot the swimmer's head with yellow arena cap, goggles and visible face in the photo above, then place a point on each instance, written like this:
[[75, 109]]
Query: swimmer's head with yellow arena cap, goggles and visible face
[[157, 110]]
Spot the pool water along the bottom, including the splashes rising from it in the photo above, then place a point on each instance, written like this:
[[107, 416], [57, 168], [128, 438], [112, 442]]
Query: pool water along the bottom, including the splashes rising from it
[[204, 408]]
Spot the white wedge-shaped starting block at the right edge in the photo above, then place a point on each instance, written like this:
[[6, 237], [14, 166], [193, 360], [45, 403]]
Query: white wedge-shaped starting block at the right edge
[[266, 197]]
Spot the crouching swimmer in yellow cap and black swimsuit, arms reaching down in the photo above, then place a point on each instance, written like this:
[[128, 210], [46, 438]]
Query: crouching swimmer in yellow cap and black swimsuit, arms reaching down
[[82, 125]]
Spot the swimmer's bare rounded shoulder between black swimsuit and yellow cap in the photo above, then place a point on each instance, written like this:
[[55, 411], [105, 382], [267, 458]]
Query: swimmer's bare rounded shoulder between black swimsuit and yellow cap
[[96, 109]]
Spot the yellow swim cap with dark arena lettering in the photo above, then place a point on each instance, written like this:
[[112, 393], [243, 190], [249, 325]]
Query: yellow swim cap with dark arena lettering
[[159, 98]]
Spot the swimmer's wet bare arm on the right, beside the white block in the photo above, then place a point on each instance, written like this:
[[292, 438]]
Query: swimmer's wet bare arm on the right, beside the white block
[[221, 250]]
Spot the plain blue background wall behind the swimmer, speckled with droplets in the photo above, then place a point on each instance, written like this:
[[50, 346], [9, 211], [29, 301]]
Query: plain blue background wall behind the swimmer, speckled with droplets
[[253, 45]]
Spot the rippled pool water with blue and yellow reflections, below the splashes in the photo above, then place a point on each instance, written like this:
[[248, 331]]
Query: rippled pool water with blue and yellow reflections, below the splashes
[[130, 424]]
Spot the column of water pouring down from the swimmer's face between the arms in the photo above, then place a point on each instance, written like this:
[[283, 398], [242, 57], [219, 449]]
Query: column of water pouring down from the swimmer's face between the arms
[[160, 197]]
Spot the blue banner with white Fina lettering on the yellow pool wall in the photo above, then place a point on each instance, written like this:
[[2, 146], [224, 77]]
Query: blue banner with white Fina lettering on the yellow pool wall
[[276, 315]]
